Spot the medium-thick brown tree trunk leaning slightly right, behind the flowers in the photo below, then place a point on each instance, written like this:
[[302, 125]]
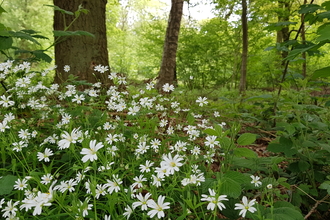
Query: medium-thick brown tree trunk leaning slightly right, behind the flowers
[[167, 73]]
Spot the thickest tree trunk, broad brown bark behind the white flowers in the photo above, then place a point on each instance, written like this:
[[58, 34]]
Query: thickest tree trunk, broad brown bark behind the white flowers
[[82, 53]]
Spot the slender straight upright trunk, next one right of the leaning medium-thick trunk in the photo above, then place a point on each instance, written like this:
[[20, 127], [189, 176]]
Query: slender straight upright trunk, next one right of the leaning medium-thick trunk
[[242, 85]]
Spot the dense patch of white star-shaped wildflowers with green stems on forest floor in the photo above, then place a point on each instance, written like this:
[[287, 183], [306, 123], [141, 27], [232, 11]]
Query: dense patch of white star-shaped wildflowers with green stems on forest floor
[[128, 155]]
